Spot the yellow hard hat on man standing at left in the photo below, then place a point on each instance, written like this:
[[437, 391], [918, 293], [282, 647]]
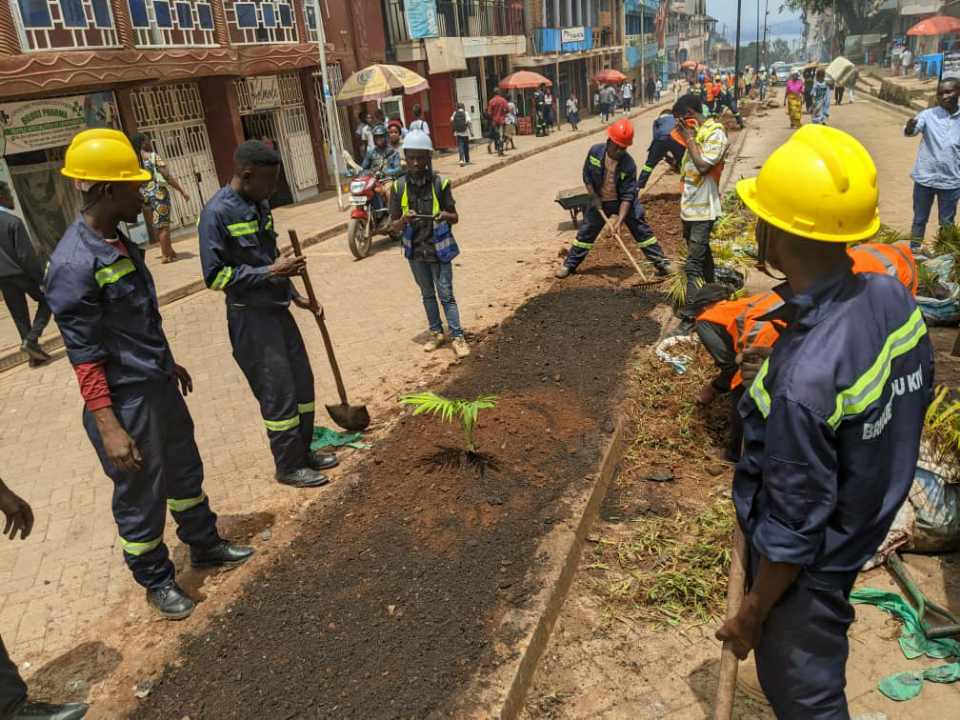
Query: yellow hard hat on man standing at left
[[103, 155]]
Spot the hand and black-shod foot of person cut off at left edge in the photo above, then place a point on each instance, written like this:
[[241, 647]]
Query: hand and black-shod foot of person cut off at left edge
[[14, 703]]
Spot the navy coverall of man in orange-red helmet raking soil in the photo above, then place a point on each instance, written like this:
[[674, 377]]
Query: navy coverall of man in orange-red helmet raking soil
[[593, 222]]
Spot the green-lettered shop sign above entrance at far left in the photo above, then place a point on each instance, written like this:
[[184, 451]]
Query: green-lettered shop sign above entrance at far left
[[52, 122]]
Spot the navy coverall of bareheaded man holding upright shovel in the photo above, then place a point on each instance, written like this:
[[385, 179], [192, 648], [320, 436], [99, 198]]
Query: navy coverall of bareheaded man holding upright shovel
[[237, 247]]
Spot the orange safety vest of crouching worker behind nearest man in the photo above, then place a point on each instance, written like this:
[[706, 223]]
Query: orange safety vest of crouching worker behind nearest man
[[740, 317]]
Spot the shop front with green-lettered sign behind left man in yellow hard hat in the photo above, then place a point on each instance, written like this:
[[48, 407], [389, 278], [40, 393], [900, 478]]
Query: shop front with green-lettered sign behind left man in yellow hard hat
[[34, 139]]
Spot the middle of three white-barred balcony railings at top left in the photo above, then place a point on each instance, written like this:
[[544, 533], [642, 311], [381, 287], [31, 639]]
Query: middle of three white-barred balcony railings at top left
[[176, 23]]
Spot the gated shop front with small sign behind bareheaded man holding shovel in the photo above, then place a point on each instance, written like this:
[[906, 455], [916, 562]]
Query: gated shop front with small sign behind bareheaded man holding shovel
[[272, 110]]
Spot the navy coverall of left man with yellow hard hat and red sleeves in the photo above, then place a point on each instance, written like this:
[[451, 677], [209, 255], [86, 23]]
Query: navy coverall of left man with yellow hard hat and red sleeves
[[105, 305]]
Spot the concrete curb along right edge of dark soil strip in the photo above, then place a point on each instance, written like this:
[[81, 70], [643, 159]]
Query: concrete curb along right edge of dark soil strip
[[502, 694]]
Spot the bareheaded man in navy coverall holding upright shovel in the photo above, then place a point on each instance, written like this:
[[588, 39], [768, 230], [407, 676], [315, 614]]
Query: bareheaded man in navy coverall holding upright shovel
[[239, 257]]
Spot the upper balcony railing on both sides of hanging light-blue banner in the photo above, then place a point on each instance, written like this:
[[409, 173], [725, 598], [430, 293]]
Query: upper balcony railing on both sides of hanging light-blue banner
[[463, 18]]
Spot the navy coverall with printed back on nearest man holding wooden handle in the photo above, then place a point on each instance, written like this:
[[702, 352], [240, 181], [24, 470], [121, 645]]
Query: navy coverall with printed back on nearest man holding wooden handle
[[832, 428]]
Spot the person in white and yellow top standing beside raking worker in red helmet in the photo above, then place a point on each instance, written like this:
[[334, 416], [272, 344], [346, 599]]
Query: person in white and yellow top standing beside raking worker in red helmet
[[700, 205]]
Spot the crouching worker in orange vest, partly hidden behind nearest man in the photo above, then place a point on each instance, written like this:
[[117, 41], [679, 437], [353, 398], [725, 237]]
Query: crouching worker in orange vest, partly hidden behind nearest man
[[739, 335]]
